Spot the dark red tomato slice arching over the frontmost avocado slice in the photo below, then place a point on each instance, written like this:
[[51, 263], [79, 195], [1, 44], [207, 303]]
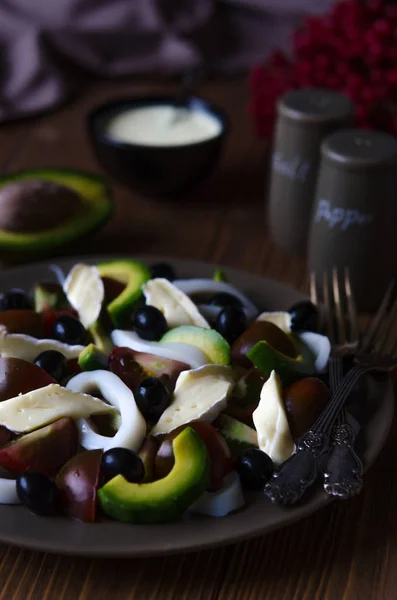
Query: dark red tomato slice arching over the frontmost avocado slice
[[221, 459]]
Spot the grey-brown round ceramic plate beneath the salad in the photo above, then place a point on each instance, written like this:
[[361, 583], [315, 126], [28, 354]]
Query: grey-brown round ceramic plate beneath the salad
[[110, 538]]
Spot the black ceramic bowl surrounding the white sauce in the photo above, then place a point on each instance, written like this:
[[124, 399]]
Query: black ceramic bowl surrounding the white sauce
[[155, 170]]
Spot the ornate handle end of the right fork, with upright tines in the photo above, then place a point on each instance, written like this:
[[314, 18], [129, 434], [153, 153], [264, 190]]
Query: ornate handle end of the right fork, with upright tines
[[343, 475]]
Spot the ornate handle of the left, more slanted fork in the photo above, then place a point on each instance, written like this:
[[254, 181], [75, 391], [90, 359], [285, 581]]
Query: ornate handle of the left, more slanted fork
[[299, 472]]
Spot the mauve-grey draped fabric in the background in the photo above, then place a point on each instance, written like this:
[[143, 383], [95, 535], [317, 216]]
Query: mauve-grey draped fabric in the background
[[47, 47]]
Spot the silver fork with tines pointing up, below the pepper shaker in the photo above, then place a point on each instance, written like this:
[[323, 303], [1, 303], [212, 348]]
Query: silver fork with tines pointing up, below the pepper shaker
[[344, 469]]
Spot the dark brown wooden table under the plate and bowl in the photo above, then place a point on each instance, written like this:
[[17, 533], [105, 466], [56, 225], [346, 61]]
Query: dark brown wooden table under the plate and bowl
[[347, 551]]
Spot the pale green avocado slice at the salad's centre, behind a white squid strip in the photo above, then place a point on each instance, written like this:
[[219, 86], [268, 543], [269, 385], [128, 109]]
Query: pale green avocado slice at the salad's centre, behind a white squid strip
[[208, 341]]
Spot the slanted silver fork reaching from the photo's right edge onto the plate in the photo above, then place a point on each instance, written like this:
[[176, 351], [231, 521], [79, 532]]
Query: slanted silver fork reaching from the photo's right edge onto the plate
[[377, 353]]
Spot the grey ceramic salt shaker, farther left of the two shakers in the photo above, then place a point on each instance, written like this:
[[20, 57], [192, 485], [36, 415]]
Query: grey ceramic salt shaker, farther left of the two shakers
[[305, 118]]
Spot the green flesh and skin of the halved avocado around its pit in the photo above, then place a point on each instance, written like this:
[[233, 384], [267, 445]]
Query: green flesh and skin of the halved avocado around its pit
[[95, 208]]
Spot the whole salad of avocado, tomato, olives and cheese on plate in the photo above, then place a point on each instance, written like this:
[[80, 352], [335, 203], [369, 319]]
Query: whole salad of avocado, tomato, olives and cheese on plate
[[129, 393]]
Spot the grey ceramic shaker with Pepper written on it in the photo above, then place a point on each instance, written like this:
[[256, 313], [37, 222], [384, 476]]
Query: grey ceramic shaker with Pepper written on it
[[354, 222]]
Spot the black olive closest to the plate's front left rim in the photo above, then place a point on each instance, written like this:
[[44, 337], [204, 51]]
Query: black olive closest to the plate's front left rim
[[38, 492]]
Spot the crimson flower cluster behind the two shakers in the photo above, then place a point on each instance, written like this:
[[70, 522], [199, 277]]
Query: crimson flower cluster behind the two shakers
[[351, 49]]
